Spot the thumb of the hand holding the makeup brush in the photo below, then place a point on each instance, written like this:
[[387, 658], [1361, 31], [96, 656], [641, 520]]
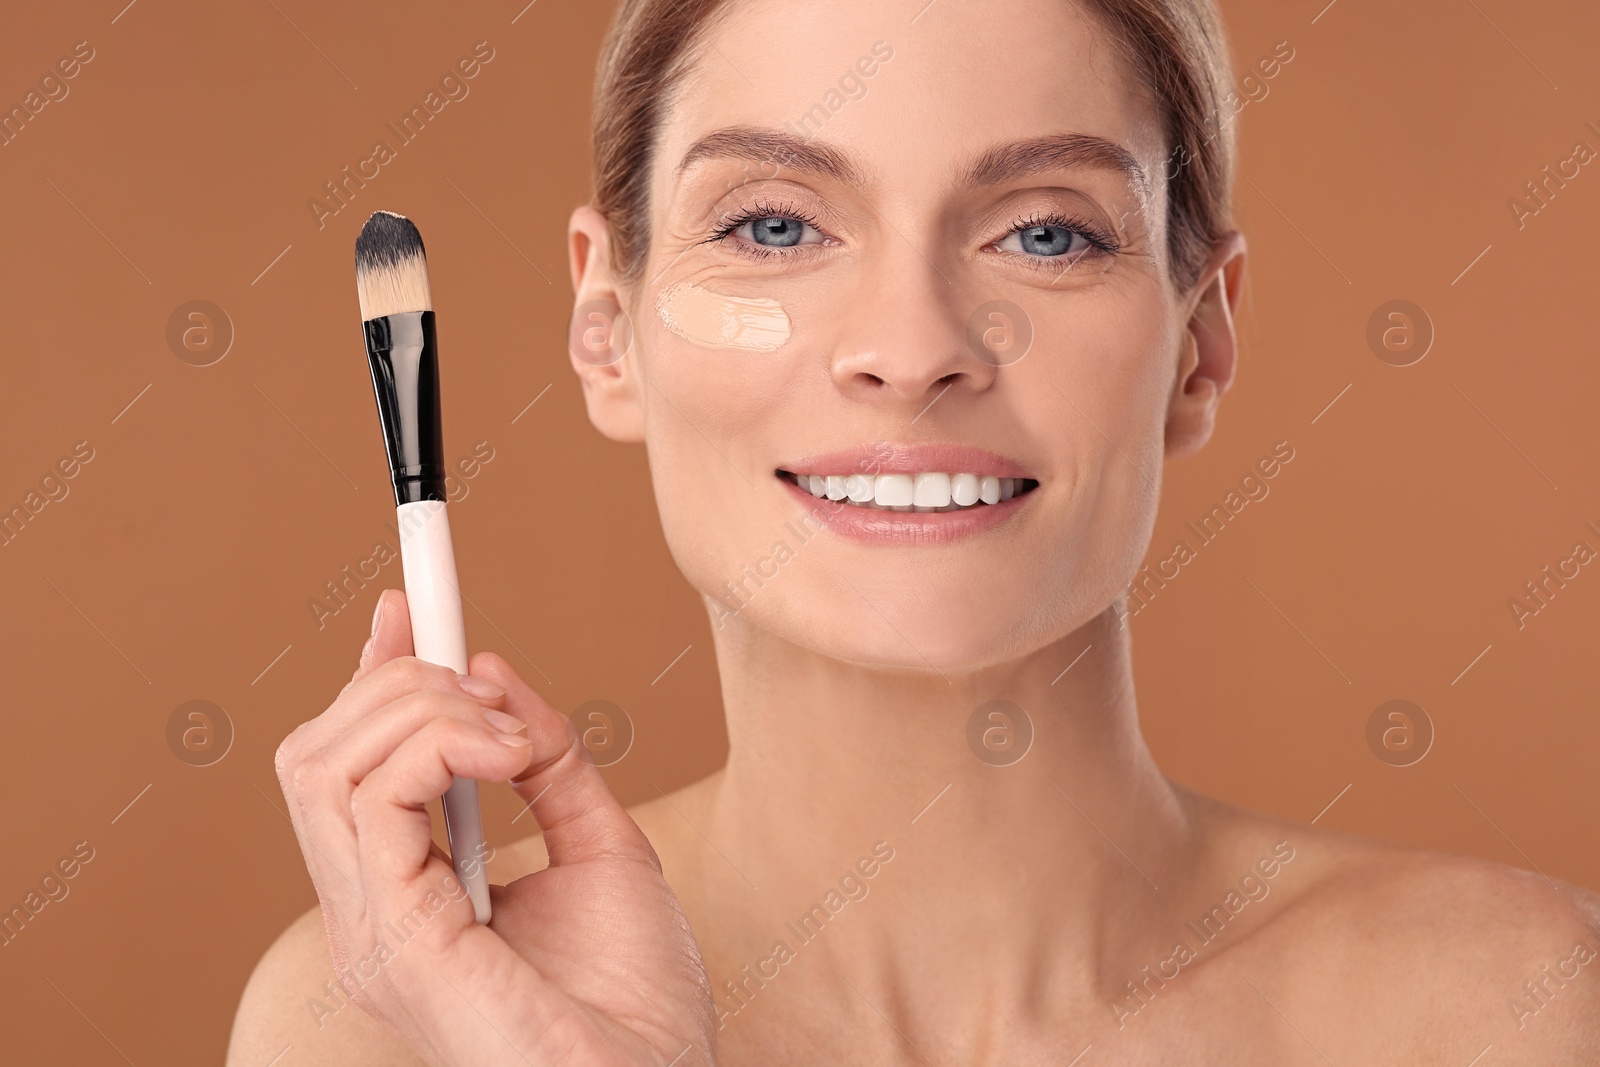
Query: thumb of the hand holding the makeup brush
[[577, 810]]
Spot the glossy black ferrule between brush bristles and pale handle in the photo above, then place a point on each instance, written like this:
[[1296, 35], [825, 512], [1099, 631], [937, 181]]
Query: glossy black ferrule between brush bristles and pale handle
[[404, 358]]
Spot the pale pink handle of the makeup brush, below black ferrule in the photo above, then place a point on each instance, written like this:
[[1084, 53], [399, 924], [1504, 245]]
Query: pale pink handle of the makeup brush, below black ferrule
[[441, 637]]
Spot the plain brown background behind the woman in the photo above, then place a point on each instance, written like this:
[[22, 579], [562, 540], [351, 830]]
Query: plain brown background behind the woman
[[182, 564]]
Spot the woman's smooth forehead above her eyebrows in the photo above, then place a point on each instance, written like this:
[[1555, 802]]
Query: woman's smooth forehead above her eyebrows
[[910, 92]]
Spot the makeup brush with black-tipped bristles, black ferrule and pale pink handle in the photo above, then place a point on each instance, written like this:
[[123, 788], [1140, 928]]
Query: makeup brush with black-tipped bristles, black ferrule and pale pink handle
[[398, 321]]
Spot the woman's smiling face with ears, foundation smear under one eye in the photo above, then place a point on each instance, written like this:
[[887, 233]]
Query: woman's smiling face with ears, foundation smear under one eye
[[906, 350]]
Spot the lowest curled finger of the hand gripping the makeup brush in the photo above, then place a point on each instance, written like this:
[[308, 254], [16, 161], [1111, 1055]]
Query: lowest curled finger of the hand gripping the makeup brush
[[394, 834]]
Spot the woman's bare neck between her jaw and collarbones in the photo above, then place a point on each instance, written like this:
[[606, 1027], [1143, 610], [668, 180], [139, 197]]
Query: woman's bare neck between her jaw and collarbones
[[1054, 855]]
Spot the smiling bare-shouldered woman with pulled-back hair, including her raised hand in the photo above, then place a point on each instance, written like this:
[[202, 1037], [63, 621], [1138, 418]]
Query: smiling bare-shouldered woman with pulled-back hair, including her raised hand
[[919, 303]]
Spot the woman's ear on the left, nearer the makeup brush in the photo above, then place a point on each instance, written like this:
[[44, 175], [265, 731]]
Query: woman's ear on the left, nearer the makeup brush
[[601, 335]]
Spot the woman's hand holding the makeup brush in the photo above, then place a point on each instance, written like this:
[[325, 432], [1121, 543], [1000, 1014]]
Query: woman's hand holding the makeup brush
[[586, 962]]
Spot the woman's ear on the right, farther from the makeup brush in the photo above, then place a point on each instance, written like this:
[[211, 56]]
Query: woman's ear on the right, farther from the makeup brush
[[1210, 350]]
